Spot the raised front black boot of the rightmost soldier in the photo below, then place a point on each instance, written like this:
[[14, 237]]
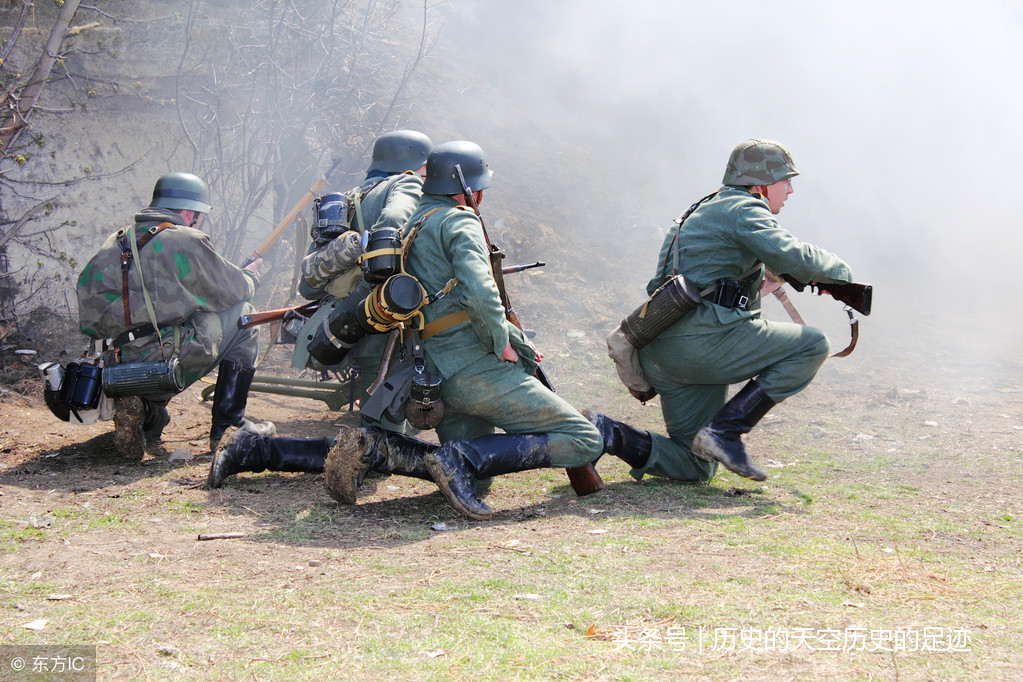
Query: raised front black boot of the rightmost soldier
[[721, 440]]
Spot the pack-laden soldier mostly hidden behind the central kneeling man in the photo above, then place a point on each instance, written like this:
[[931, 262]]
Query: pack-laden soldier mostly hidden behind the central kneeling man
[[332, 275]]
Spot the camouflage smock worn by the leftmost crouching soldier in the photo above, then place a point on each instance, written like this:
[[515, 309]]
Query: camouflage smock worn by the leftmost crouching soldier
[[184, 274]]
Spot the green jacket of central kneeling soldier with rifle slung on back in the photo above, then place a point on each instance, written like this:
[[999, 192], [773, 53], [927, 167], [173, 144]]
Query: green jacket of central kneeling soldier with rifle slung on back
[[451, 244]]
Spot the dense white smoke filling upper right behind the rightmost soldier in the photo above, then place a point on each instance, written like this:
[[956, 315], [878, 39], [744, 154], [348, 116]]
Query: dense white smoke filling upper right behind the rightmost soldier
[[902, 118]]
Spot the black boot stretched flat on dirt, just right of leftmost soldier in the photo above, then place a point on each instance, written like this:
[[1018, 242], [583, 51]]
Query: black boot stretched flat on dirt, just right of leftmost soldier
[[250, 452]]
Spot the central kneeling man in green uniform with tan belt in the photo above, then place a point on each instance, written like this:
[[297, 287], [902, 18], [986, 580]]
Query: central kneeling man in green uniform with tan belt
[[487, 365]]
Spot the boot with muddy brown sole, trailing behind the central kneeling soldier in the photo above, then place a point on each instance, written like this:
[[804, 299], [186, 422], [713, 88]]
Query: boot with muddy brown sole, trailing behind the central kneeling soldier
[[358, 451]]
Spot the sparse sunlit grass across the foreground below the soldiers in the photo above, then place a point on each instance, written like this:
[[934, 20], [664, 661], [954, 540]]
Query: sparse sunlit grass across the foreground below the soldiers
[[847, 542]]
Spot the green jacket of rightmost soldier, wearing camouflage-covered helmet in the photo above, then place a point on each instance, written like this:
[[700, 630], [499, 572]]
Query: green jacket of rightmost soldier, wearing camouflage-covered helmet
[[726, 237]]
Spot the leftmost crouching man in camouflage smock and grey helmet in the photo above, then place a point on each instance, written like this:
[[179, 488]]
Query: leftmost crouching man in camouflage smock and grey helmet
[[186, 308]]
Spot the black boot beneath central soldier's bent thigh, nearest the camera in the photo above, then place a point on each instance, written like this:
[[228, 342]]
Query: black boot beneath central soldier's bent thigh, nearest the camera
[[458, 465]]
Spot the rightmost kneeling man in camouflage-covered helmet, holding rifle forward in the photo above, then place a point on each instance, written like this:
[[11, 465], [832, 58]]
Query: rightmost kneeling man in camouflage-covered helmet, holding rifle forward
[[723, 248]]
